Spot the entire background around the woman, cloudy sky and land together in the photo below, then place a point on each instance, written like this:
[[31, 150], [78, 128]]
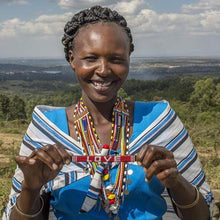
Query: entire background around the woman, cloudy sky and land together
[[175, 36]]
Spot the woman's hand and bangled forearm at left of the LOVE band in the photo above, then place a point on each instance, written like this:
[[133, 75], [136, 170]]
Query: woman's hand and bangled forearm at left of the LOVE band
[[39, 168]]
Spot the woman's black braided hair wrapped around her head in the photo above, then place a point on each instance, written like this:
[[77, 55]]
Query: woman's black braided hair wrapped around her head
[[90, 16]]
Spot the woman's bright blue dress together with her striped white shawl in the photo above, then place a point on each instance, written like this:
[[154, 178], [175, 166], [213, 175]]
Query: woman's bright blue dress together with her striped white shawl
[[154, 123]]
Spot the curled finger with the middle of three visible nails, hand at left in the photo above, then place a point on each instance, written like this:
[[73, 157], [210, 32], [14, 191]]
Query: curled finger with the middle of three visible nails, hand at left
[[44, 157]]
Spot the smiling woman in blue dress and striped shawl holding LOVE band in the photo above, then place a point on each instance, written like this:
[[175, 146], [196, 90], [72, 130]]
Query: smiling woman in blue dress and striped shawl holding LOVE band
[[98, 45]]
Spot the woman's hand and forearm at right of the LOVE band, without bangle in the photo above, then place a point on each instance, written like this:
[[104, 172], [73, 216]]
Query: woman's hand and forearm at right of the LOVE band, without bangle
[[160, 162]]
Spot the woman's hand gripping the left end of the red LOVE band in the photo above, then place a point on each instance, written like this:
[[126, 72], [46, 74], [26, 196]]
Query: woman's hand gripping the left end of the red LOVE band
[[42, 165]]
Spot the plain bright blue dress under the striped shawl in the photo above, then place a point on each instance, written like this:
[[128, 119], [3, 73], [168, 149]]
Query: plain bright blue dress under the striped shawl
[[144, 200]]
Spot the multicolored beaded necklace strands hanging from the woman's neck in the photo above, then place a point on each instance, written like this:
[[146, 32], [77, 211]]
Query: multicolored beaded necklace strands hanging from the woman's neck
[[111, 193]]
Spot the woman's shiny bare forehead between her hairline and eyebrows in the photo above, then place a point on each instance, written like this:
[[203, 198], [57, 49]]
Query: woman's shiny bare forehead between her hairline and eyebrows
[[105, 35]]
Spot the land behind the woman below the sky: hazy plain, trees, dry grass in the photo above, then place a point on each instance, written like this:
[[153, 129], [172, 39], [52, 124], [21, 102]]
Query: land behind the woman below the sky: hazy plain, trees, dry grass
[[190, 84]]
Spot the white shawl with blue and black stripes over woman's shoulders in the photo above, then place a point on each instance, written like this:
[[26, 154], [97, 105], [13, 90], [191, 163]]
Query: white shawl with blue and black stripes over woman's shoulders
[[166, 130]]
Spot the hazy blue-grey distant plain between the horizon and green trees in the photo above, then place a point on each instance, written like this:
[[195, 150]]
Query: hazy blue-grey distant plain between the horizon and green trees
[[141, 68]]
